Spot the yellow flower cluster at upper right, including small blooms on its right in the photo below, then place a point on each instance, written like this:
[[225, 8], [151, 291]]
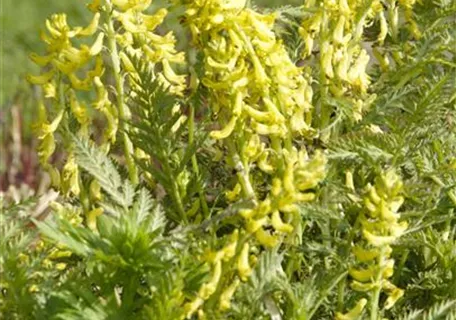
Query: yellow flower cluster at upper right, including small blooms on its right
[[336, 29]]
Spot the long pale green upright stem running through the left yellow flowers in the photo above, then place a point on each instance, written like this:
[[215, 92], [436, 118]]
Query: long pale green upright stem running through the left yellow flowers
[[121, 107]]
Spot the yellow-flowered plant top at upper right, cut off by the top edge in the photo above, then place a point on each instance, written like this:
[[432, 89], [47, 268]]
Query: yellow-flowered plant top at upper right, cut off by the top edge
[[336, 31]]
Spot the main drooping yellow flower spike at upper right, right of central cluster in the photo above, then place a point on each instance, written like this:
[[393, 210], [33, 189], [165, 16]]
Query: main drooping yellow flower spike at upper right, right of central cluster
[[335, 30]]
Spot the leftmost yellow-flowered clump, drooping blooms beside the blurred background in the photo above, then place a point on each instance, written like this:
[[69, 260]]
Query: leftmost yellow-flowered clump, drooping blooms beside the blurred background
[[74, 84]]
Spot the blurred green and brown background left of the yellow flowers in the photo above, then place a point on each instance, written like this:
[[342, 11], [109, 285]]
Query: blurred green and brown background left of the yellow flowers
[[21, 22]]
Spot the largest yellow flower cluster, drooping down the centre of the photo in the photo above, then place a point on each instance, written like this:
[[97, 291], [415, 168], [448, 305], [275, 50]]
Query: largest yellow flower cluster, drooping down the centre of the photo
[[263, 102]]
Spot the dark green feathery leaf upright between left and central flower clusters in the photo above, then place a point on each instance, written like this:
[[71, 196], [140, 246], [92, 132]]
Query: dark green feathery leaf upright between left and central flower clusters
[[160, 130]]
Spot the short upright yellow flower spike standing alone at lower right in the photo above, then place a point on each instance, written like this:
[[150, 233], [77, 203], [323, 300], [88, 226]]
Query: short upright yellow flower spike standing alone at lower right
[[380, 228]]
